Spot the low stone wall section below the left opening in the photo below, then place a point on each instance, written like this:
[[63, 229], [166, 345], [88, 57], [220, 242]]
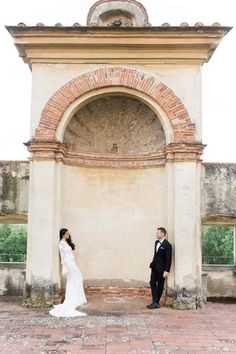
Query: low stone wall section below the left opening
[[12, 276]]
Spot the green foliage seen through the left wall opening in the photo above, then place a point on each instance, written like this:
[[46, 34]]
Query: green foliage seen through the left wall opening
[[13, 243]]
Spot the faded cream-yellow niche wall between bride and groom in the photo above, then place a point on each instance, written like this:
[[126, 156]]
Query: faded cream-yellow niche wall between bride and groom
[[113, 215]]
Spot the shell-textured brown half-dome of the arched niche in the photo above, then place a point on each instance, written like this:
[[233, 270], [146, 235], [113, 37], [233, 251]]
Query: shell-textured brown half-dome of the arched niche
[[114, 124]]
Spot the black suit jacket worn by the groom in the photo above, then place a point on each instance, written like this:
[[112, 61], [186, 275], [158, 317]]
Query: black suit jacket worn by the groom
[[162, 258]]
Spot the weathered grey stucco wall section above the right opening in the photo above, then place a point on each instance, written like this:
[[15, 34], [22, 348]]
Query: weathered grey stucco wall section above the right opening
[[218, 193]]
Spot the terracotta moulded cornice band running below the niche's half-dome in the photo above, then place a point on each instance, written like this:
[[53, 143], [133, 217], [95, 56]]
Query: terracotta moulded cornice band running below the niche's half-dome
[[56, 151]]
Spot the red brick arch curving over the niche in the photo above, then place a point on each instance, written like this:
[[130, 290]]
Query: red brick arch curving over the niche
[[183, 128]]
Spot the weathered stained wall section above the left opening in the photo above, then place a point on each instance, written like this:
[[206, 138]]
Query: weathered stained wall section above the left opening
[[14, 186]]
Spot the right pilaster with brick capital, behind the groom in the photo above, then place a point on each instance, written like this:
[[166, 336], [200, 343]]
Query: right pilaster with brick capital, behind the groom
[[183, 174]]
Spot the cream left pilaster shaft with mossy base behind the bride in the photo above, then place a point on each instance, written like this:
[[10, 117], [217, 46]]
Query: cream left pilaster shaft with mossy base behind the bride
[[42, 269]]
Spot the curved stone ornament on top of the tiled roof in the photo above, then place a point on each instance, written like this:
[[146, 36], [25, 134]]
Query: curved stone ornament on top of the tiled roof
[[117, 13]]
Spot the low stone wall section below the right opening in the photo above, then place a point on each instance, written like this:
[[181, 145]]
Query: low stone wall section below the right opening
[[221, 281]]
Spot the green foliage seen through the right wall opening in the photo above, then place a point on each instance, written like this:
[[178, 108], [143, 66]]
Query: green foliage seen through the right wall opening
[[218, 245]]
